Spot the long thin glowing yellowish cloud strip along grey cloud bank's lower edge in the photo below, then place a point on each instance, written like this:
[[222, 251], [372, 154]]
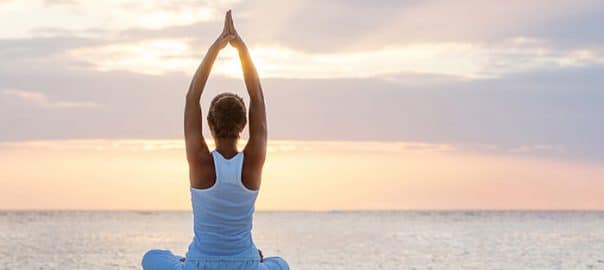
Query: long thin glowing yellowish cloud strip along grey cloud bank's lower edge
[[283, 146]]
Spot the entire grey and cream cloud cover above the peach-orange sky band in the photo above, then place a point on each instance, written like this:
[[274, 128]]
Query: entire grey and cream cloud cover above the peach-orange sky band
[[504, 74]]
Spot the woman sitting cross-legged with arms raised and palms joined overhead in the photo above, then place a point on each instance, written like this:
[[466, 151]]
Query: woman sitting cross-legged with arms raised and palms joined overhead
[[224, 182]]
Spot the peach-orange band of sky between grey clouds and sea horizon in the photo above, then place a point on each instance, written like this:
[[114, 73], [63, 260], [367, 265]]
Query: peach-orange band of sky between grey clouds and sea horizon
[[113, 174]]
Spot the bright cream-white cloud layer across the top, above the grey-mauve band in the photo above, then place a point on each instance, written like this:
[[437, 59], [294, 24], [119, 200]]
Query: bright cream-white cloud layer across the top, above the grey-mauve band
[[391, 37]]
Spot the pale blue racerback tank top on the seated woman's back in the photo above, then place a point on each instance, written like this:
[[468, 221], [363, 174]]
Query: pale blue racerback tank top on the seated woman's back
[[223, 213]]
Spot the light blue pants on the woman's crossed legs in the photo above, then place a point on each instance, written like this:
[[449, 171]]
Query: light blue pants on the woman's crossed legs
[[166, 260]]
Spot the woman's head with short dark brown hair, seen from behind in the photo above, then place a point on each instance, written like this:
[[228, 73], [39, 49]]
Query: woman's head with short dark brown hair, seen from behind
[[226, 117]]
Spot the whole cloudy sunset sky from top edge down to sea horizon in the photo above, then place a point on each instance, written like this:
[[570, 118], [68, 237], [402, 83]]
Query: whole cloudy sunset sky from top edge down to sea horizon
[[437, 104]]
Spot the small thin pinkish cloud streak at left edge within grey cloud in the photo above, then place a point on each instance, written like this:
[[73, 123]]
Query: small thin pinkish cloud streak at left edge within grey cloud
[[39, 99]]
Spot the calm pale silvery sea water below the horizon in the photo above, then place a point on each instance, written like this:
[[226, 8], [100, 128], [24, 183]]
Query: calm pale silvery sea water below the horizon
[[312, 241]]
